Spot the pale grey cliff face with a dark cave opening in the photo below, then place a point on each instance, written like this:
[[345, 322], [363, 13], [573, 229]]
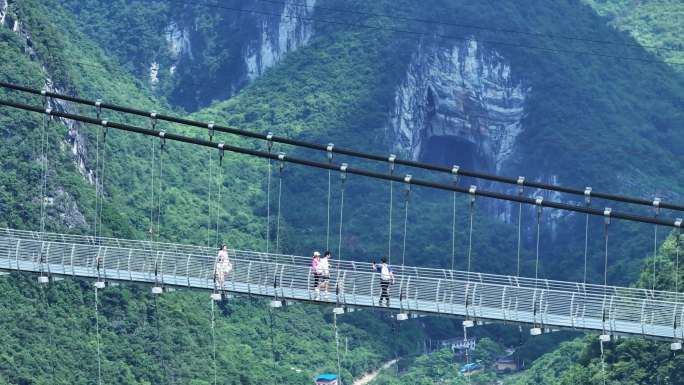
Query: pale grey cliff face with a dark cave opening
[[458, 104]]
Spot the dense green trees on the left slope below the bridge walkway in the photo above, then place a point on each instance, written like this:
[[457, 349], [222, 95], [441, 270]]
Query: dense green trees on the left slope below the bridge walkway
[[49, 337]]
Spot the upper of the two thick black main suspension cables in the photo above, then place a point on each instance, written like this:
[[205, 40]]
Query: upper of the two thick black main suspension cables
[[343, 151]]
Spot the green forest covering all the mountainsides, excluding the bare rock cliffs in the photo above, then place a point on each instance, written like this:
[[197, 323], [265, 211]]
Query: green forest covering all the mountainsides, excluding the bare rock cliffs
[[614, 120]]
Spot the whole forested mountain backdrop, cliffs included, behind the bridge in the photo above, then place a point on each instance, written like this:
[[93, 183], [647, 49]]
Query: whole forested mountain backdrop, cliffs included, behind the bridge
[[552, 91]]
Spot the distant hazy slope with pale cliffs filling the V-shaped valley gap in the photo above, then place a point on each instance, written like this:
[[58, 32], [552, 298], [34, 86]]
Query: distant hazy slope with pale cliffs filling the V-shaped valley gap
[[196, 52]]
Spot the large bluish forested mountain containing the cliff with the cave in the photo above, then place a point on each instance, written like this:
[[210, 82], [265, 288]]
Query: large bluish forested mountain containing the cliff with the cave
[[591, 112]]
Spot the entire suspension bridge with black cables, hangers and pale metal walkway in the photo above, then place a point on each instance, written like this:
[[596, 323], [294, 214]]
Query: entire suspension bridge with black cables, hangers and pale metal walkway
[[541, 303]]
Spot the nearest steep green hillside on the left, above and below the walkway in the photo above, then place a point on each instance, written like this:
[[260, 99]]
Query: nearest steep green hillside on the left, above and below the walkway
[[54, 341]]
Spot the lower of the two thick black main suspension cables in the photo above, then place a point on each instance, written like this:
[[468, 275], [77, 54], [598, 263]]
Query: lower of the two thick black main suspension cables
[[356, 171]]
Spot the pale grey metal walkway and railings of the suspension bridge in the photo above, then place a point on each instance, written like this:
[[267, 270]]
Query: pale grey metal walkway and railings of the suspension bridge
[[352, 283]]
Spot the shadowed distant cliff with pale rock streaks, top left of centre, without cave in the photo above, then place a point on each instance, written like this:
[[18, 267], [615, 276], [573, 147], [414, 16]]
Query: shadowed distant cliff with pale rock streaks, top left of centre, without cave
[[245, 46]]
